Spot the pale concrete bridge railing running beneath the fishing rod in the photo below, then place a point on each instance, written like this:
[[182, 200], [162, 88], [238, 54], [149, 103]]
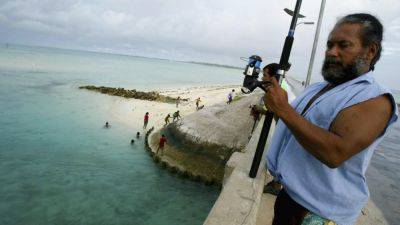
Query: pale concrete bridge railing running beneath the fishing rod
[[240, 198]]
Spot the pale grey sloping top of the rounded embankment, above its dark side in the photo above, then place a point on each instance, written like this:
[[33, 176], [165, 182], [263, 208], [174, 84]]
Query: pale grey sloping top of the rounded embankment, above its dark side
[[223, 124]]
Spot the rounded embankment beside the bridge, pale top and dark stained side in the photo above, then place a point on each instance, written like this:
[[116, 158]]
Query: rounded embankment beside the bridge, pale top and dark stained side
[[201, 143]]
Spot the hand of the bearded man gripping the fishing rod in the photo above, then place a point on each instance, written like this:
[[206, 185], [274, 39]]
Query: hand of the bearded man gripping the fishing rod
[[275, 99]]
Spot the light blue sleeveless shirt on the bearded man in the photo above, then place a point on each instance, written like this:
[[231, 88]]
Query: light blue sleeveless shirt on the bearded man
[[337, 194]]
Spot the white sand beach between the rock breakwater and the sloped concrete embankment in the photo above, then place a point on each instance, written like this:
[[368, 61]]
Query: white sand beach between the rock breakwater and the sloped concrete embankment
[[131, 111]]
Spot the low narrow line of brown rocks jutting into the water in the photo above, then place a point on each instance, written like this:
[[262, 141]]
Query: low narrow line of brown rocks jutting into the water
[[121, 92]]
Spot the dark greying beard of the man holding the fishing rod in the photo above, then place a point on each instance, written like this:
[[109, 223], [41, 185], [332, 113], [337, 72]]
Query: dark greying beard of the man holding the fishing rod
[[336, 73]]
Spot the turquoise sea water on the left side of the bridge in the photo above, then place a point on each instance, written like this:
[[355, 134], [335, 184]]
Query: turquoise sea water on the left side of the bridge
[[58, 165]]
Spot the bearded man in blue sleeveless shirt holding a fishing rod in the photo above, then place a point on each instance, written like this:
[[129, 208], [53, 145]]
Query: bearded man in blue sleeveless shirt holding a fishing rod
[[325, 139]]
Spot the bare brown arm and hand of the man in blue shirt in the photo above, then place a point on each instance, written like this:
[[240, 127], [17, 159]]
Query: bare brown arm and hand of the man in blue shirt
[[353, 129]]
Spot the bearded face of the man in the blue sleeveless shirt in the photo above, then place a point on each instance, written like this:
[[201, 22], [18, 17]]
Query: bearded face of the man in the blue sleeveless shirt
[[345, 57]]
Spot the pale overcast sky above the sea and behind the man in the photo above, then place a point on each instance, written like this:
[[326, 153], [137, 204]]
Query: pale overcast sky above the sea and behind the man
[[215, 31]]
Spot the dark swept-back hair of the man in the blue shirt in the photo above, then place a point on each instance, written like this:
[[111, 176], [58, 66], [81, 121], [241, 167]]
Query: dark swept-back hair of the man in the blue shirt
[[372, 31]]
